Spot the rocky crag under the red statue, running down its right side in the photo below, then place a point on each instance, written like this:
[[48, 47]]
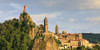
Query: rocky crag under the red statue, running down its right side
[[25, 17]]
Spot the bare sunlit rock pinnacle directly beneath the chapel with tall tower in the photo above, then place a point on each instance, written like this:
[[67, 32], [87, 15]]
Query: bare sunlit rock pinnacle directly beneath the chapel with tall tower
[[46, 42]]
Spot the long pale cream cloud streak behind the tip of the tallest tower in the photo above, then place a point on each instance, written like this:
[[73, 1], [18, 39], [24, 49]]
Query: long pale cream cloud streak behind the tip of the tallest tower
[[39, 17]]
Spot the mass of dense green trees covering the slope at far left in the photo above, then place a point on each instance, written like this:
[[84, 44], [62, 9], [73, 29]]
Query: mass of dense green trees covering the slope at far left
[[14, 35]]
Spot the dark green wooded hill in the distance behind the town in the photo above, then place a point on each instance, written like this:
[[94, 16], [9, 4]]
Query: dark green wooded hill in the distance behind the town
[[92, 37]]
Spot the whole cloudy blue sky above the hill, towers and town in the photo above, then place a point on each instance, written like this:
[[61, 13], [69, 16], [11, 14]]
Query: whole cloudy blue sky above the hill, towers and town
[[73, 16]]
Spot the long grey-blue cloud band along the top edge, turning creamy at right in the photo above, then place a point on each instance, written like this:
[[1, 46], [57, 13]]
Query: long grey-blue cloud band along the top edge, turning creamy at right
[[70, 4]]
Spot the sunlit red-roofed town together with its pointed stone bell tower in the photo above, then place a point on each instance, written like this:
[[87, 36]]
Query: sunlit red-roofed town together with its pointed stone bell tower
[[72, 40]]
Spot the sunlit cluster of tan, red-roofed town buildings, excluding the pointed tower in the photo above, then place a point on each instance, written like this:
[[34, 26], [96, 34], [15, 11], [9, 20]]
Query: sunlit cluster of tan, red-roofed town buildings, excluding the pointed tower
[[73, 40]]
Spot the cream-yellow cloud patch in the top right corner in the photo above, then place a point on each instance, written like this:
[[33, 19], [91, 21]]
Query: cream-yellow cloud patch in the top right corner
[[90, 4]]
